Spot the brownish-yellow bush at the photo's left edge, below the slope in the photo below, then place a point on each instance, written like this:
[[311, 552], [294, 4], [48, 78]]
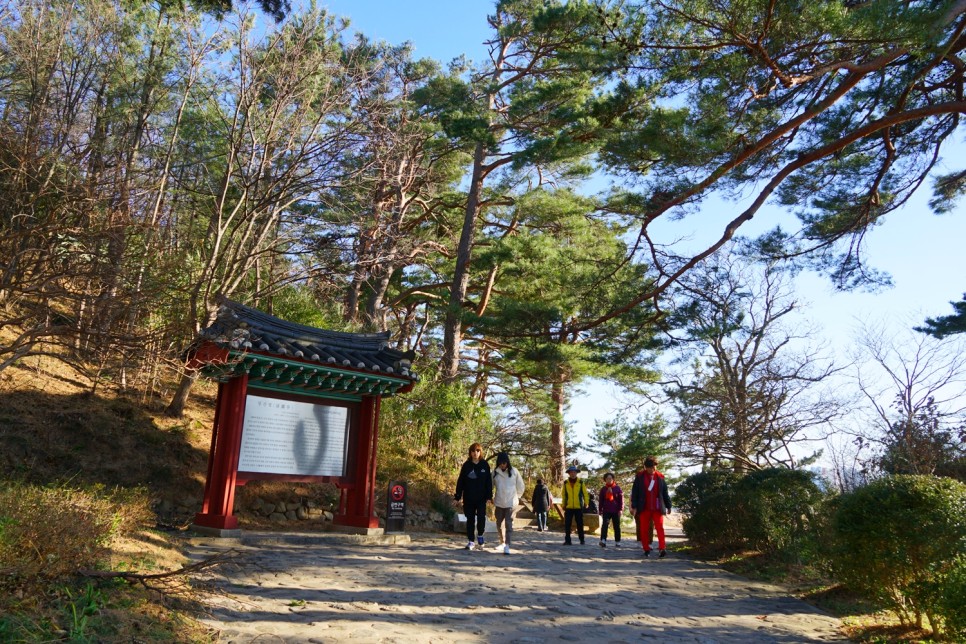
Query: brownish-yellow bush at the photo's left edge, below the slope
[[47, 533]]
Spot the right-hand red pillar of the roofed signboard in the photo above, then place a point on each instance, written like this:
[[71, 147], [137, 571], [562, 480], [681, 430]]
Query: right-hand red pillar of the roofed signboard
[[358, 508]]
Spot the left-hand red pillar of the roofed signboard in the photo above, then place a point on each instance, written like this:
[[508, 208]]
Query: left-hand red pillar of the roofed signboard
[[219, 500]]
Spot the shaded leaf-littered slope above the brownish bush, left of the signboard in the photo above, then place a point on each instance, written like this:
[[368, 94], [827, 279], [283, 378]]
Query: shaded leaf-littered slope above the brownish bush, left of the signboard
[[52, 429]]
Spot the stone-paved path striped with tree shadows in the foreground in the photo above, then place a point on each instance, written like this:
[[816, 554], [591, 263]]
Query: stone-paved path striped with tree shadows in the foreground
[[319, 589]]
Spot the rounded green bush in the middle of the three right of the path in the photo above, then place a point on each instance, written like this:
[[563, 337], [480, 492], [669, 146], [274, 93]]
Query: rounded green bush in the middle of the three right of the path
[[776, 509]]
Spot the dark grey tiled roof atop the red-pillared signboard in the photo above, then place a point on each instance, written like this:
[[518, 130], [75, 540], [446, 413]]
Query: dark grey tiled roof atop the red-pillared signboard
[[240, 327]]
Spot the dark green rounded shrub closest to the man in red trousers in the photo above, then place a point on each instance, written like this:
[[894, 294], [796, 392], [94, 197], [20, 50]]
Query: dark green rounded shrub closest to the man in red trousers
[[708, 500]]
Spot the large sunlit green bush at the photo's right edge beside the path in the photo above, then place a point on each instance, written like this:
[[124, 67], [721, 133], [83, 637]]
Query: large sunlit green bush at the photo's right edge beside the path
[[898, 539]]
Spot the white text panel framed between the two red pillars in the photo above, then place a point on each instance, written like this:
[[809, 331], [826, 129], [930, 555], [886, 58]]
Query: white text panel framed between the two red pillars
[[288, 437]]
